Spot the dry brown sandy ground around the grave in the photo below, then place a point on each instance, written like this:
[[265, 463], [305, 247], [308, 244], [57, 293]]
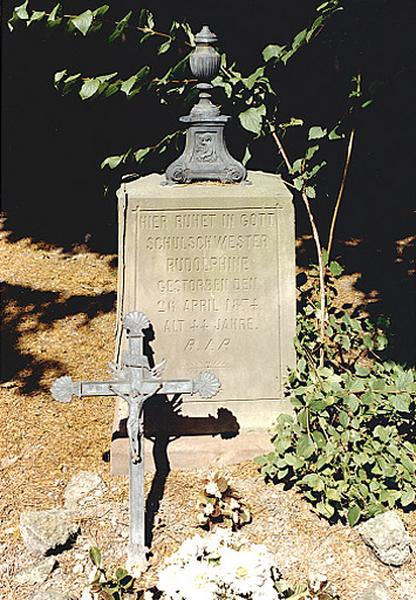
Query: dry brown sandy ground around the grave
[[59, 318]]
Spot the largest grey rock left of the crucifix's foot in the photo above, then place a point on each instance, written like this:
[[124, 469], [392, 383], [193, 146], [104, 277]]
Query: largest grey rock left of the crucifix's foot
[[45, 530]]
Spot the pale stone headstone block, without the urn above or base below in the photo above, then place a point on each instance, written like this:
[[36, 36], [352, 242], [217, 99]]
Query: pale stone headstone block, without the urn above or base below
[[213, 267]]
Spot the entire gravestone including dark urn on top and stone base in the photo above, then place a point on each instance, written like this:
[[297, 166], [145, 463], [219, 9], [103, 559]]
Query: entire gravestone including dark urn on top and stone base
[[208, 252]]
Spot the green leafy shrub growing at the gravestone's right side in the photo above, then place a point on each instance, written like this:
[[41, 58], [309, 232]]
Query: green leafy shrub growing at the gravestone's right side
[[350, 444]]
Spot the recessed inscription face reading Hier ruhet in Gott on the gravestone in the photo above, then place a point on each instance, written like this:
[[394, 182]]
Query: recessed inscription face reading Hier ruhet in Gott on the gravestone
[[209, 280]]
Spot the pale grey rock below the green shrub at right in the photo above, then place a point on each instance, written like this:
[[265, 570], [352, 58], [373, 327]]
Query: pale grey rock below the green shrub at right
[[387, 537]]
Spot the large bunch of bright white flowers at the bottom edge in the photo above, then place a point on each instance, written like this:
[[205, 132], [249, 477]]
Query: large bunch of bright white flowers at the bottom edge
[[215, 567]]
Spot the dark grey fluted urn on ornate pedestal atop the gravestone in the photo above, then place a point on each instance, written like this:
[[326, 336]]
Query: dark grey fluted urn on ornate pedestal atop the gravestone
[[205, 156]]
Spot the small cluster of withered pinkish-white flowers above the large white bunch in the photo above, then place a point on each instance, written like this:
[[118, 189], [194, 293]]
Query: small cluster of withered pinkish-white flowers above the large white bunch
[[220, 504]]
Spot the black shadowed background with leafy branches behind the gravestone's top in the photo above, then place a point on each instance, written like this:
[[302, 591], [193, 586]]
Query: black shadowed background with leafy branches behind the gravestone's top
[[56, 144]]
